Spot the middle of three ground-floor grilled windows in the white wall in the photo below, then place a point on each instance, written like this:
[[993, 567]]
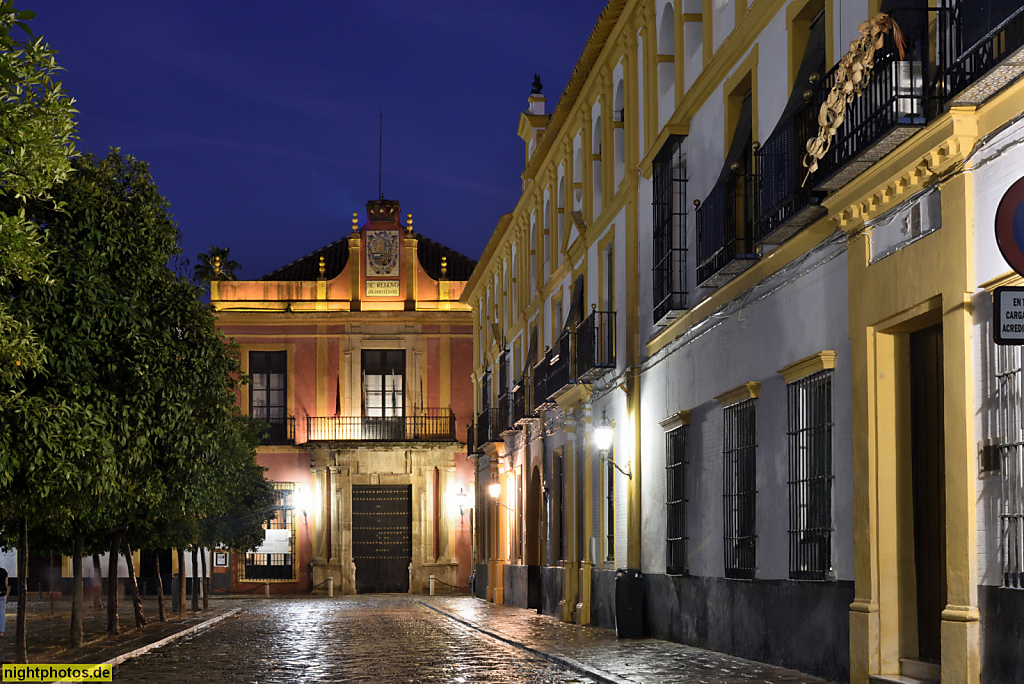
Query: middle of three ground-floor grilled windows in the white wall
[[740, 479]]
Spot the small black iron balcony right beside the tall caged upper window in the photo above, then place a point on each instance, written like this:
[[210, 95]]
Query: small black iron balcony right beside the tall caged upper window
[[726, 237]]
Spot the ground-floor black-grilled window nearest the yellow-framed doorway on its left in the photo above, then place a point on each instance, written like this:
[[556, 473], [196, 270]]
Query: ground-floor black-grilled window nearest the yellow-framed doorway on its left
[[810, 477]]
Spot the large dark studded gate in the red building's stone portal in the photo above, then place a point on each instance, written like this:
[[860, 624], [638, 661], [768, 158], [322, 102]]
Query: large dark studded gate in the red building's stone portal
[[382, 537]]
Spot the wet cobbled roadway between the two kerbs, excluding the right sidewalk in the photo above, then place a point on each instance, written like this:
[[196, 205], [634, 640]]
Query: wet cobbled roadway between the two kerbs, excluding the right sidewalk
[[352, 639]]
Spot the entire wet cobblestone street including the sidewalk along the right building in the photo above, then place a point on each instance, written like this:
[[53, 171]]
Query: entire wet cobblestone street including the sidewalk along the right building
[[399, 638]]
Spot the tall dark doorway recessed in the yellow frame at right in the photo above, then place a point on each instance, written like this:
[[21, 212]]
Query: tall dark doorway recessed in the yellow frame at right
[[927, 438]]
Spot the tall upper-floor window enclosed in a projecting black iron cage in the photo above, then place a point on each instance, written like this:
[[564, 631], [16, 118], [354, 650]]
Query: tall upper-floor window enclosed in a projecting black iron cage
[[670, 229]]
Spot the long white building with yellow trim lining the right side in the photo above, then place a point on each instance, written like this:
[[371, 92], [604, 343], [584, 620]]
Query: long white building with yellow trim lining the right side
[[816, 457]]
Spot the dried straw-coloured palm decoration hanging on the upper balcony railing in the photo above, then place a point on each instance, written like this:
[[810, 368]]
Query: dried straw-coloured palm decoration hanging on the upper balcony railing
[[852, 76]]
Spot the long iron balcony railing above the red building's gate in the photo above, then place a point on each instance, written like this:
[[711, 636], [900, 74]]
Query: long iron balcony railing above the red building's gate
[[437, 425]]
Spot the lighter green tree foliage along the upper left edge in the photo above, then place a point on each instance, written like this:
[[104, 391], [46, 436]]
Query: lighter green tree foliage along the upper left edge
[[37, 135]]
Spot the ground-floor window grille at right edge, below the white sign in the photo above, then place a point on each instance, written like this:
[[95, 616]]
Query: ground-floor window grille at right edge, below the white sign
[[1010, 429]]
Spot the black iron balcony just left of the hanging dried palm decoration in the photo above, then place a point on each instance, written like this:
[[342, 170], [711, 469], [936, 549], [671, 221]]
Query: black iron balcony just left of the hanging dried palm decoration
[[785, 204]]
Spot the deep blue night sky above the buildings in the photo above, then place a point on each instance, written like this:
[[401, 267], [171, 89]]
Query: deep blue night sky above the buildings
[[261, 120]]
